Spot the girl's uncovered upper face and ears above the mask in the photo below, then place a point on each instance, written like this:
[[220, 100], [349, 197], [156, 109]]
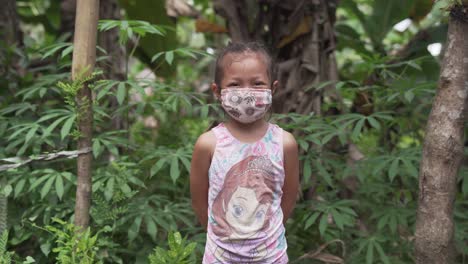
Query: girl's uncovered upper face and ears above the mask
[[244, 70]]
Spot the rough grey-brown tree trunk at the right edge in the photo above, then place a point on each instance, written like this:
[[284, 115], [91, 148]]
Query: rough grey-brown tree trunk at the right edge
[[443, 149]]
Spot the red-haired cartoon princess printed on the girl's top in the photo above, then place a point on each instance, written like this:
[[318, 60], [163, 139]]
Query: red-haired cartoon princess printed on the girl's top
[[242, 210]]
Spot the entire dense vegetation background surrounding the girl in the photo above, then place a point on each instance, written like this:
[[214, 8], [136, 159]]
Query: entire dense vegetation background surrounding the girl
[[359, 122]]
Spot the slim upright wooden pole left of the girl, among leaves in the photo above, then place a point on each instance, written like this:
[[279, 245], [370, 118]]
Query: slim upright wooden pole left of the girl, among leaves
[[84, 57]]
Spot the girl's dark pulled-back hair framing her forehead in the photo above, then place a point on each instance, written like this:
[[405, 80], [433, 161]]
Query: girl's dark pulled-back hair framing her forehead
[[241, 47]]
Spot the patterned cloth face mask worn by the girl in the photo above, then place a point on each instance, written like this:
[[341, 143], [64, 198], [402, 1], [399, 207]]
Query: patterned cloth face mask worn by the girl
[[246, 105]]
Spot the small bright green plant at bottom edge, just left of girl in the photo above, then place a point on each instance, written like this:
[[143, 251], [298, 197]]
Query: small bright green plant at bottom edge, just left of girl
[[179, 251]]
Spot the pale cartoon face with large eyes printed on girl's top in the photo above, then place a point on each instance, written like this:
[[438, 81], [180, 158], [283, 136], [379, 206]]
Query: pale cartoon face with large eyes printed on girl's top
[[244, 213]]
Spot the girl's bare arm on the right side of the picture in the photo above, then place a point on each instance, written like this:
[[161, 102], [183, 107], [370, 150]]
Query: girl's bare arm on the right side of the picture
[[291, 179]]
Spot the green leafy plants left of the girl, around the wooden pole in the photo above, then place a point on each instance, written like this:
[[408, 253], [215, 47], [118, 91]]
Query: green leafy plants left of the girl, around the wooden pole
[[139, 207]]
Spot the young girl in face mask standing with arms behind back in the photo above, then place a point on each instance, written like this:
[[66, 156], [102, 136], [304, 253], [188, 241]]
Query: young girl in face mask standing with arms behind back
[[245, 172]]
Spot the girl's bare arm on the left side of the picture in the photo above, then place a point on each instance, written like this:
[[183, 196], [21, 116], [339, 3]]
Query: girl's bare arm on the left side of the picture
[[201, 160]]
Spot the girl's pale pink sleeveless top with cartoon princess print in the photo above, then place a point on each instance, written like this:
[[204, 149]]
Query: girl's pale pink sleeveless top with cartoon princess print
[[245, 220]]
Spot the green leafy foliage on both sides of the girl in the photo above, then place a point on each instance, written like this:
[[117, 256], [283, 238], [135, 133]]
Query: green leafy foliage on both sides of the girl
[[144, 130]]
